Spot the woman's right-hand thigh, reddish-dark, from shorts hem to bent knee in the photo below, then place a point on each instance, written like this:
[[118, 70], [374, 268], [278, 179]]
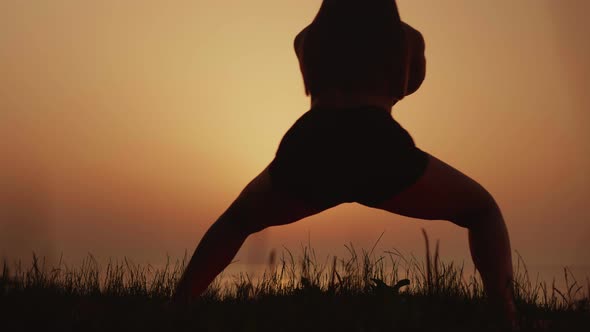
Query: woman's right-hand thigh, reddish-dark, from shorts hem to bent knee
[[441, 193]]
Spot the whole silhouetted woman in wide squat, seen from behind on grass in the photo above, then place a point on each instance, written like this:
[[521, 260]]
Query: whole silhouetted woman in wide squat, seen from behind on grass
[[358, 59]]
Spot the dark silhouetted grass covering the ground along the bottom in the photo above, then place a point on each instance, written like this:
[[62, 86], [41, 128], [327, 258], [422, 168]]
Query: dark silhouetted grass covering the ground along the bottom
[[364, 291]]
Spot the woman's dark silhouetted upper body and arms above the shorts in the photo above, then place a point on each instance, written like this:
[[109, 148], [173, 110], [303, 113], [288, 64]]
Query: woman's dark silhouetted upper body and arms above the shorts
[[359, 53]]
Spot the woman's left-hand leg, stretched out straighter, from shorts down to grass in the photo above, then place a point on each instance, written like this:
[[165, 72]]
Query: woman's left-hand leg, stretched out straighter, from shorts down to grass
[[257, 207]]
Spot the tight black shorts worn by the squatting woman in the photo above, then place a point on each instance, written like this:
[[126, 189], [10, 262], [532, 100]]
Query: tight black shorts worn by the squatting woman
[[333, 156]]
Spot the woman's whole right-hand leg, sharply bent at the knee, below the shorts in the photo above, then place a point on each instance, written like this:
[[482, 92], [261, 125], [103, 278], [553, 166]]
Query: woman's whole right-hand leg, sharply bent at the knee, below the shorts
[[447, 194]]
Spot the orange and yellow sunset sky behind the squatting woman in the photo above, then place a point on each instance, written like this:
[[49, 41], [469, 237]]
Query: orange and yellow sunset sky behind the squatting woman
[[127, 127]]
